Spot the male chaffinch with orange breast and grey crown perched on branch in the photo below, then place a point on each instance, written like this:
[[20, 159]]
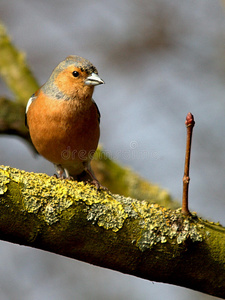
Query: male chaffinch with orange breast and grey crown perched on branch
[[63, 119]]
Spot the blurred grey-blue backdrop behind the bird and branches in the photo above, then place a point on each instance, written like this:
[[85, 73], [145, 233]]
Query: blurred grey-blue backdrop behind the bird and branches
[[160, 60]]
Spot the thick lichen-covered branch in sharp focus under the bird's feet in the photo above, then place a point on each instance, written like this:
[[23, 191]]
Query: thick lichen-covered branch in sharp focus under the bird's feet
[[124, 234]]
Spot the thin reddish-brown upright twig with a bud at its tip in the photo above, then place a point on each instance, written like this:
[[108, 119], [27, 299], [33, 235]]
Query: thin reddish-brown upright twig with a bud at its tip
[[189, 124]]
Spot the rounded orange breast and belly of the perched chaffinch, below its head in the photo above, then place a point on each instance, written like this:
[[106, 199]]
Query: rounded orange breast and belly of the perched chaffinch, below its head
[[63, 131]]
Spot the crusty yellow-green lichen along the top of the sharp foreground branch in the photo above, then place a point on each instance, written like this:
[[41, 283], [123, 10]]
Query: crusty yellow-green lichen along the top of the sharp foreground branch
[[48, 198]]
